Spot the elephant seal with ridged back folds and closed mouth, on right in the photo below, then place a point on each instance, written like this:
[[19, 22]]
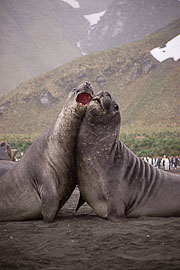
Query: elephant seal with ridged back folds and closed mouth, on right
[[112, 179]]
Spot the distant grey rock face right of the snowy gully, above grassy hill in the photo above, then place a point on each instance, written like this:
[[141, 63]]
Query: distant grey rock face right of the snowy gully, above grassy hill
[[129, 20]]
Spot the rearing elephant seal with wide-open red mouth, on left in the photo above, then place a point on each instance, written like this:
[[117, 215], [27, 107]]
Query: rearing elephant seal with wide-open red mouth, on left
[[43, 180]]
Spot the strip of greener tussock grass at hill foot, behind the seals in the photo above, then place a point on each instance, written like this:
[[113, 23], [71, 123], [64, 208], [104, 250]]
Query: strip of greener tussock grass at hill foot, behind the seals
[[142, 144]]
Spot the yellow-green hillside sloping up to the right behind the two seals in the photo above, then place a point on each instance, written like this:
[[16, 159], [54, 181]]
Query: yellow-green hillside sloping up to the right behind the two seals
[[147, 91]]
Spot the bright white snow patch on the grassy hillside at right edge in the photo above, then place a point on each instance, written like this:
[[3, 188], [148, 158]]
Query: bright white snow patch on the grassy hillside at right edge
[[171, 50]]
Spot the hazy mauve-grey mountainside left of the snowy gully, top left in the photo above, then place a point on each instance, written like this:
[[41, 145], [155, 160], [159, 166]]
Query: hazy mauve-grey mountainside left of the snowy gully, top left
[[36, 37]]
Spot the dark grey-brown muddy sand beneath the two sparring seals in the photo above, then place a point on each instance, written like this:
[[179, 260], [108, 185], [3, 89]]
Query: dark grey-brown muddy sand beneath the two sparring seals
[[85, 241]]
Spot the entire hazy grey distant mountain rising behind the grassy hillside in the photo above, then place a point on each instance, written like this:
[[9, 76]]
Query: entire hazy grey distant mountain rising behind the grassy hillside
[[38, 36]]
